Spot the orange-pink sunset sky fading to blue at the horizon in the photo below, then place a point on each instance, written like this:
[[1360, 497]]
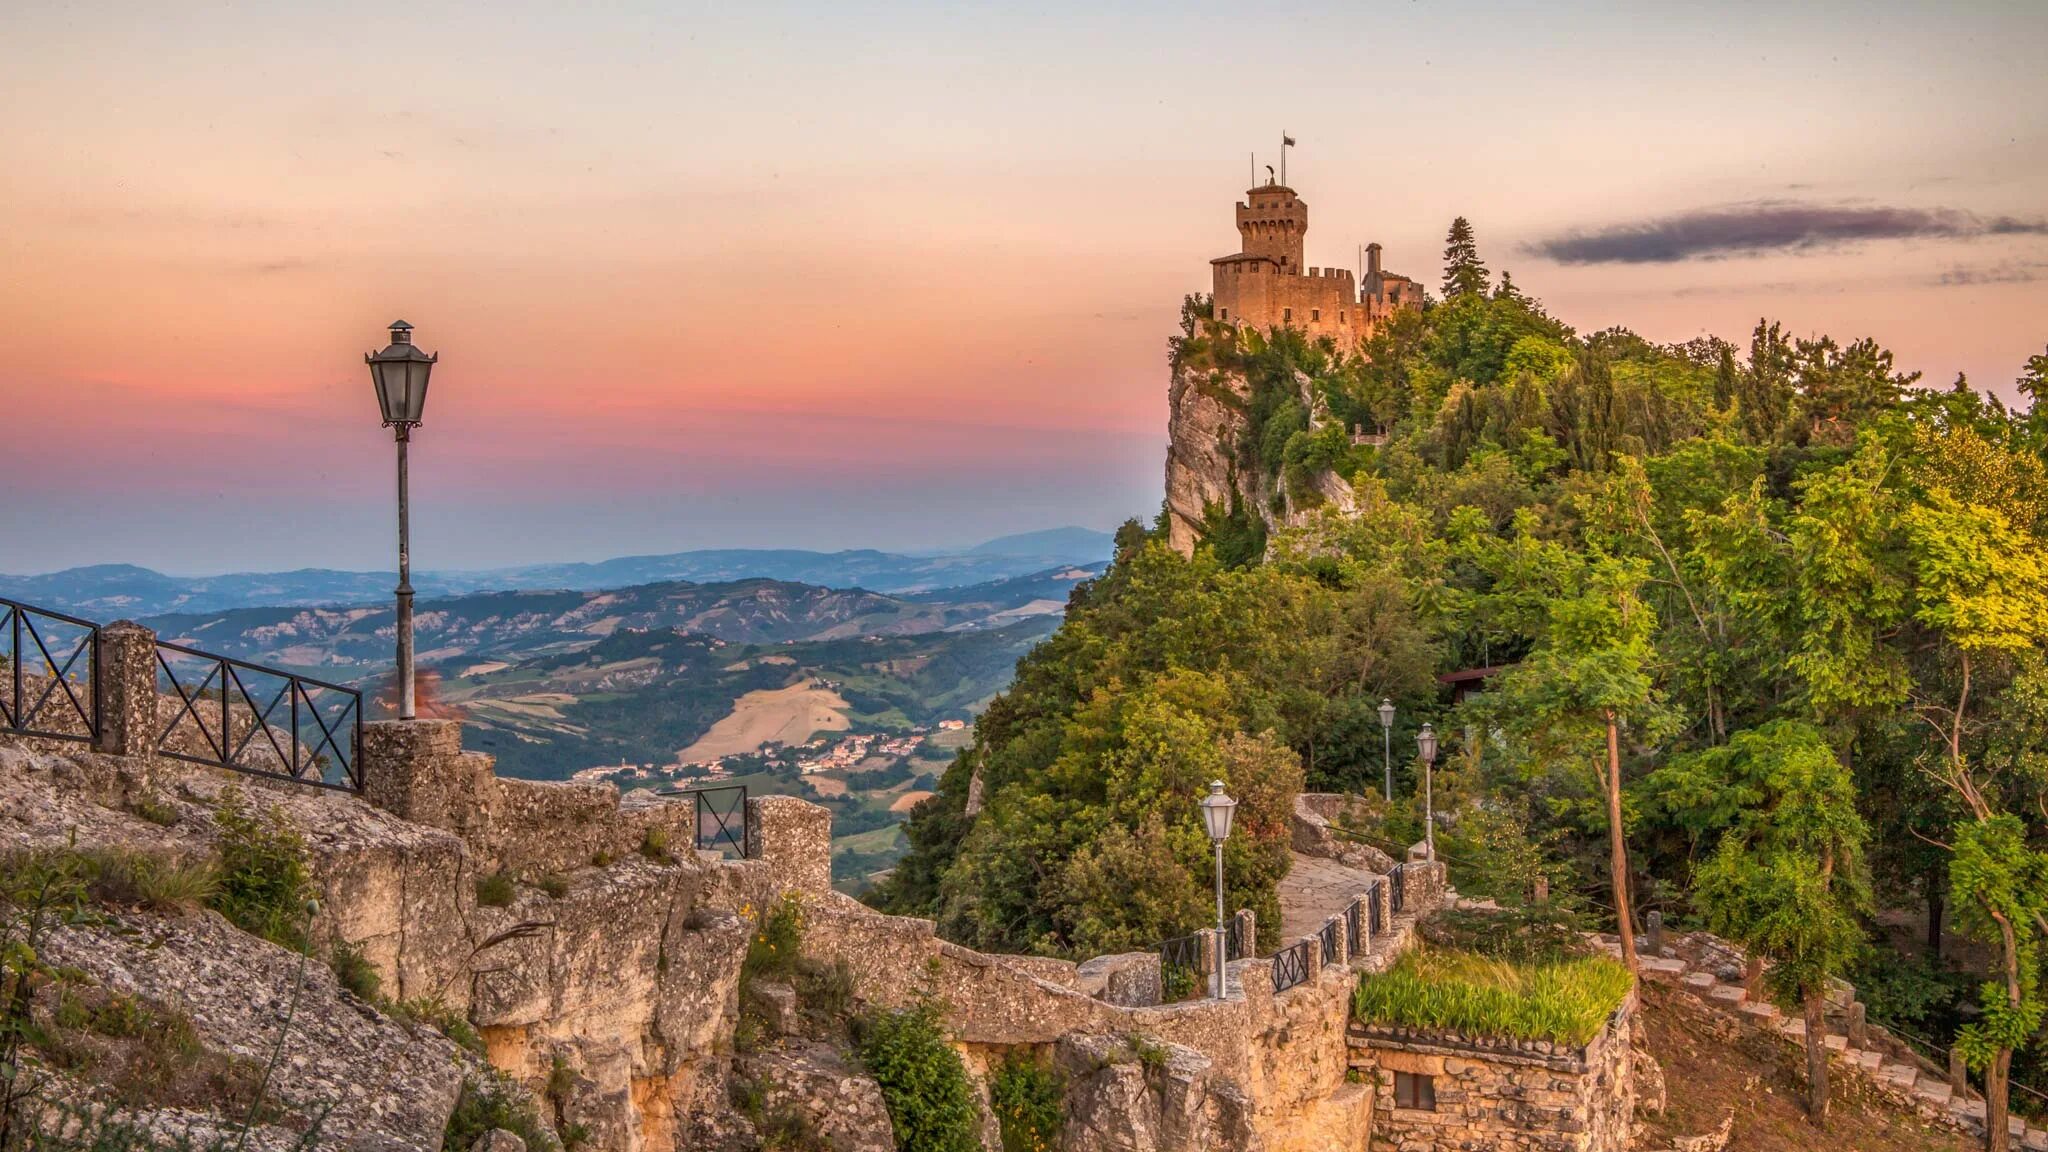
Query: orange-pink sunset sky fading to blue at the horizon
[[900, 276]]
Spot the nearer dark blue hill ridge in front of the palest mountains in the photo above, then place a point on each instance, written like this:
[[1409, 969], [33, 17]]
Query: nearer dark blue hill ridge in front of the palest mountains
[[501, 628]]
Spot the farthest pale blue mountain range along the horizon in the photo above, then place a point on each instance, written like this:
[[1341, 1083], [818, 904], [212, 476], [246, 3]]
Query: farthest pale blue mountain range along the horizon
[[108, 591]]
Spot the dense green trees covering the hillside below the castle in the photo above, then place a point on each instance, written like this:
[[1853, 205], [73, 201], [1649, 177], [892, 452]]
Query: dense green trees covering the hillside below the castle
[[1773, 620]]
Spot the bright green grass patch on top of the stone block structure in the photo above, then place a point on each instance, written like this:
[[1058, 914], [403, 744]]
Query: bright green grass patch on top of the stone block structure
[[1564, 1001]]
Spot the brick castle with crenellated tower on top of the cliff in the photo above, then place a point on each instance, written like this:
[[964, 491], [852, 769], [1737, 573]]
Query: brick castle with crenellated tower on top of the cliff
[[1265, 284]]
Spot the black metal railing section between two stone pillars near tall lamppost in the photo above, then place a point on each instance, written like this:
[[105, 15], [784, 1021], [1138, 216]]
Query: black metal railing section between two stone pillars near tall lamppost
[[259, 721]]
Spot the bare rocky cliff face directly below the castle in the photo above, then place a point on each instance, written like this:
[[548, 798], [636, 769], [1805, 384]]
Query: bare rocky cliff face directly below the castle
[[1207, 464]]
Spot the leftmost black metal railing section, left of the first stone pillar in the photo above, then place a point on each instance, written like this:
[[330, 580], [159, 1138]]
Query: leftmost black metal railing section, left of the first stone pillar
[[52, 673]]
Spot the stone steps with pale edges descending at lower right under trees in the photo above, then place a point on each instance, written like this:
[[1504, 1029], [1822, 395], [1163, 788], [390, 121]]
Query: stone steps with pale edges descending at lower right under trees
[[1883, 1061]]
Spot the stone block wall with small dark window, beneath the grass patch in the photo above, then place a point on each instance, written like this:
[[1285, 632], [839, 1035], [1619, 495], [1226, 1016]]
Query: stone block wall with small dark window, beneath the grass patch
[[1512, 1096]]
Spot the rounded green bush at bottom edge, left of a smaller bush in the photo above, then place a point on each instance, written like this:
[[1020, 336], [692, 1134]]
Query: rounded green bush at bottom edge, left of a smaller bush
[[923, 1079]]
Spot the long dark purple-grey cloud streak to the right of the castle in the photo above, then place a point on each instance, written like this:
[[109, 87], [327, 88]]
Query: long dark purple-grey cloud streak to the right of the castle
[[1770, 227]]
